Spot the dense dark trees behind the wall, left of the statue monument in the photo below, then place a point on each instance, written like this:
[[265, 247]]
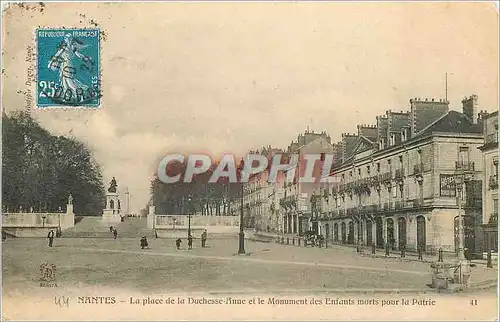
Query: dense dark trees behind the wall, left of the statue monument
[[40, 171]]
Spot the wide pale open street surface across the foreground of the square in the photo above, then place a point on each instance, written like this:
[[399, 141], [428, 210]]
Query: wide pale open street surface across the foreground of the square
[[266, 267]]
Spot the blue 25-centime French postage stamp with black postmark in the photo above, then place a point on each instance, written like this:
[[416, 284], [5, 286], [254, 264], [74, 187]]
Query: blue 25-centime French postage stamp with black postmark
[[68, 67]]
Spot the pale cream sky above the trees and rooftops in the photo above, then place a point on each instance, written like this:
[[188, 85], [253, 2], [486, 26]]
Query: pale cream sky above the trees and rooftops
[[223, 77]]
